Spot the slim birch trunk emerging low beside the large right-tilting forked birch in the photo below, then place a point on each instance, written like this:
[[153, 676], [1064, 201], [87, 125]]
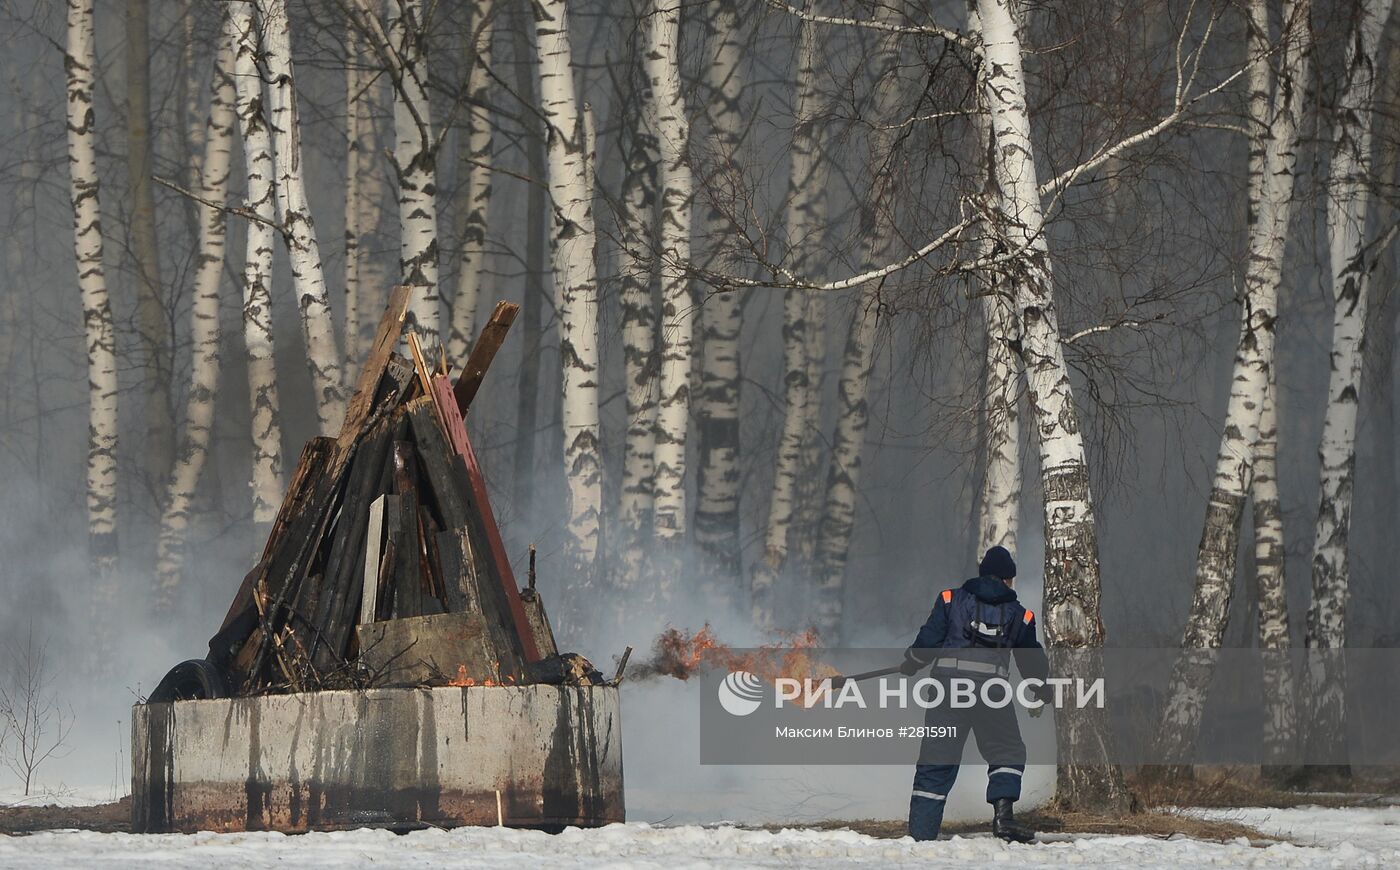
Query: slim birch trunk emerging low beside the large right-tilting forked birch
[[1280, 722]]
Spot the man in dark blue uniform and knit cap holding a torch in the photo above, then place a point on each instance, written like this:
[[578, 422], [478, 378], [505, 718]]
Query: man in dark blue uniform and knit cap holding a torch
[[962, 640]]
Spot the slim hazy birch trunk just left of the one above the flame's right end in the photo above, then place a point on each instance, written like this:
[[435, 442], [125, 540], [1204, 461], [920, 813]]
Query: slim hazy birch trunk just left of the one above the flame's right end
[[808, 177]]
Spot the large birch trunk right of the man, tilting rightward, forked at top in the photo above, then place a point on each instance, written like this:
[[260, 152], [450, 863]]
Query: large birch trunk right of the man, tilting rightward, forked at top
[[1273, 158]]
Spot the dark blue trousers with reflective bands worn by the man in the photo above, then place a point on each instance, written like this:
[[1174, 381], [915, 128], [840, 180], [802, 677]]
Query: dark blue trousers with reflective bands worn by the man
[[999, 743]]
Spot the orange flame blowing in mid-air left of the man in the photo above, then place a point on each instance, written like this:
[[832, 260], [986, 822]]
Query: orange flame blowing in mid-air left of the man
[[793, 656]]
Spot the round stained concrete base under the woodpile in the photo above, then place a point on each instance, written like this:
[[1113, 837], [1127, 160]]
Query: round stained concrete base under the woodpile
[[533, 757]]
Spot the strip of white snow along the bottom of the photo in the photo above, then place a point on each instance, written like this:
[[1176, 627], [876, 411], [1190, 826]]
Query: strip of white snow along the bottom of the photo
[[1346, 838]]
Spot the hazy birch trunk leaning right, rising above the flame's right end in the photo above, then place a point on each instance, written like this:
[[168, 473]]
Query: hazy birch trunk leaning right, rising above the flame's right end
[[843, 473]]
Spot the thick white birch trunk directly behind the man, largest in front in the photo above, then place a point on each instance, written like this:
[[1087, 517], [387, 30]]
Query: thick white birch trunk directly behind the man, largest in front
[[1072, 553]]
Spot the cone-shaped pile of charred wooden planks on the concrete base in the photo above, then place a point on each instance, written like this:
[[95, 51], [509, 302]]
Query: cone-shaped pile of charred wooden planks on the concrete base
[[386, 565]]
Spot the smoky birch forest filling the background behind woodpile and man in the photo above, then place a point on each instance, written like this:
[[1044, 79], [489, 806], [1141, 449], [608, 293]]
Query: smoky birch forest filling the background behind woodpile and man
[[817, 302]]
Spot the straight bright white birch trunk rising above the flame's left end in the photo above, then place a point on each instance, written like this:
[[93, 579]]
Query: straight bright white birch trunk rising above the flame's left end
[[667, 117]]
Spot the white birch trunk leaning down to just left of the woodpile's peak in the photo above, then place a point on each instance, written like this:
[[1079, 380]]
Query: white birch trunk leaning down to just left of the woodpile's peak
[[299, 229]]
